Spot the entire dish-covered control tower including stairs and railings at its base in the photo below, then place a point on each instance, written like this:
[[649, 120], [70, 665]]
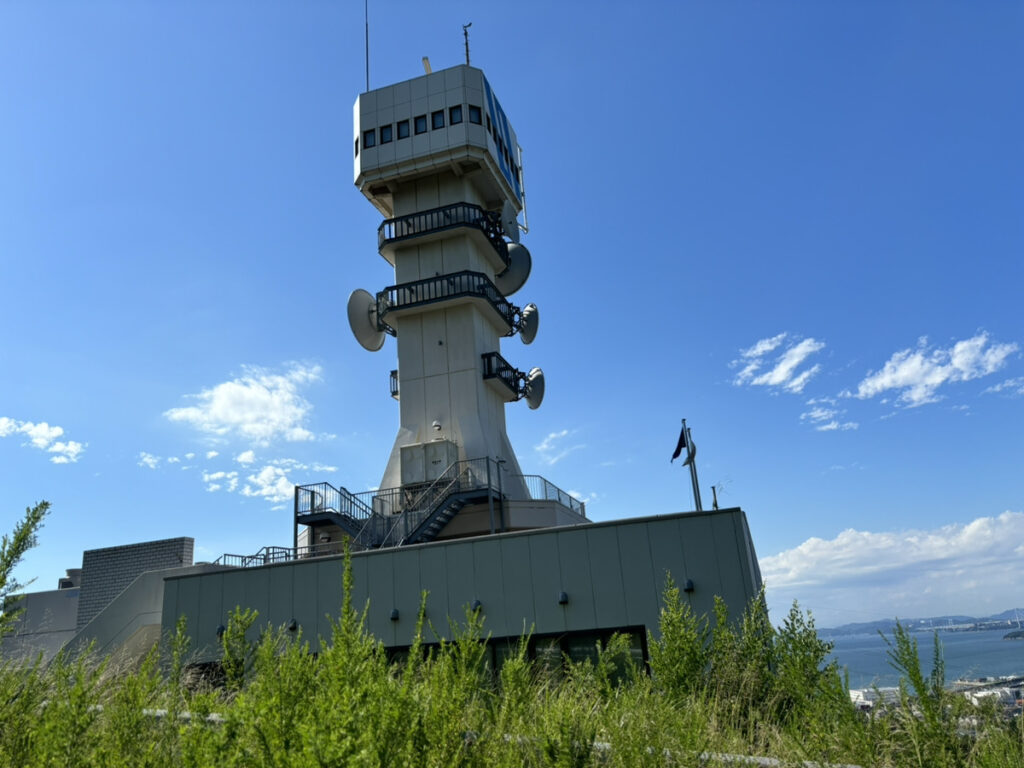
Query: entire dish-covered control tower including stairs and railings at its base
[[438, 157]]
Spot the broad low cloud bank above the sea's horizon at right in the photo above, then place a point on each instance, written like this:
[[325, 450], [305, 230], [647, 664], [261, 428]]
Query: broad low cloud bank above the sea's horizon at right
[[892, 573]]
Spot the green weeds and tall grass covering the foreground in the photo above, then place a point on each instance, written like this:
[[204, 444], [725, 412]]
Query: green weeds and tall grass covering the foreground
[[718, 687]]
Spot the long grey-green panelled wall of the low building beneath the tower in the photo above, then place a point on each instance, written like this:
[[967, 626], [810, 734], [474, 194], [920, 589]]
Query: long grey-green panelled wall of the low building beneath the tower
[[613, 573]]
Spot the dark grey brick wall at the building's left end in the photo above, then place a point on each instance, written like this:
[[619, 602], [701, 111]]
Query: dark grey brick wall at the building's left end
[[106, 573]]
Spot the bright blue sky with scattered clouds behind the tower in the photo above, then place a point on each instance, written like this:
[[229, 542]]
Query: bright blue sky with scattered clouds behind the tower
[[796, 225]]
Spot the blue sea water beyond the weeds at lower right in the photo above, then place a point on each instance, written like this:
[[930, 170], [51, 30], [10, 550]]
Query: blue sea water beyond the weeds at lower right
[[968, 655]]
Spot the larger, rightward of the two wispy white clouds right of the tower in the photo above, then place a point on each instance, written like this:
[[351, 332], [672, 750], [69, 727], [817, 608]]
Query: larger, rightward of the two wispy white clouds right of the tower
[[918, 374]]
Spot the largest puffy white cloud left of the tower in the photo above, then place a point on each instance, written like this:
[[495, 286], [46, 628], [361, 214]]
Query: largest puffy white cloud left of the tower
[[260, 406]]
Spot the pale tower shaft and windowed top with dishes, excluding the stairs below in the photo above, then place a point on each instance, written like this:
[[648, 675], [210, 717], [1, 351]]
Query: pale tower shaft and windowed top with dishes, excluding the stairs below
[[438, 157]]
